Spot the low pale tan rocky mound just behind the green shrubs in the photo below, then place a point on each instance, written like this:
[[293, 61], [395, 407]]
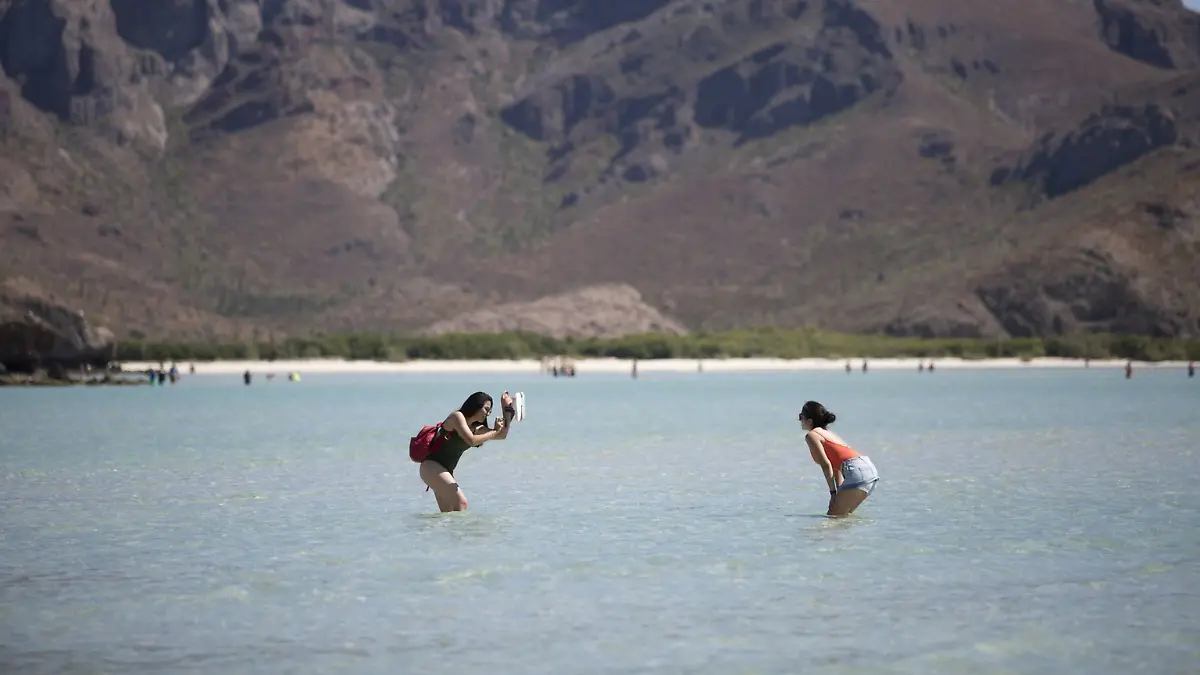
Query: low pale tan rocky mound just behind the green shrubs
[[605, 312]]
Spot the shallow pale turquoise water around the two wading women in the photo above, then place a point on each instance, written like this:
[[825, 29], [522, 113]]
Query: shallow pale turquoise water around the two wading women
[[1027, 522]]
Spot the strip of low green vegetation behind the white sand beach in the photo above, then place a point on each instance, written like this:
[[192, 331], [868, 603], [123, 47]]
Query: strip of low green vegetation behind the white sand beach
[[736, 344]]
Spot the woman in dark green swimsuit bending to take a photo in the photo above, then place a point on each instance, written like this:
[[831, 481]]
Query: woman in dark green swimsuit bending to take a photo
[[464, 429]]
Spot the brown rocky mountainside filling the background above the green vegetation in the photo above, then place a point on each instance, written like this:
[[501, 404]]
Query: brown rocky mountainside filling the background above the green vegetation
[[205, 169]]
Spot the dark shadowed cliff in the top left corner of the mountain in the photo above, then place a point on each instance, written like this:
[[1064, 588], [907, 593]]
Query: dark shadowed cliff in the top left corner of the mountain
[[115, 65]]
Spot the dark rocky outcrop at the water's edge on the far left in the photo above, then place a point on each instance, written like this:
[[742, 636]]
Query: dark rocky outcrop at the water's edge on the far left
[[38, 333]]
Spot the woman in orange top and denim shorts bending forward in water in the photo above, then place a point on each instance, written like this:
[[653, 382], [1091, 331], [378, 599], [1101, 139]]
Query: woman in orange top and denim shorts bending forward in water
[[850, 476]]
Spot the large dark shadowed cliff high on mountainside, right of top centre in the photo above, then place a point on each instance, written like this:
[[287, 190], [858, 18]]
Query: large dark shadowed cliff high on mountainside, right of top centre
[[655, 106]]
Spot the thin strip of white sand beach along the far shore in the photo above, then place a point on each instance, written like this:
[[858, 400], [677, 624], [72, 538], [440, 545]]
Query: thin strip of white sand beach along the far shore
[[625, 367]]
